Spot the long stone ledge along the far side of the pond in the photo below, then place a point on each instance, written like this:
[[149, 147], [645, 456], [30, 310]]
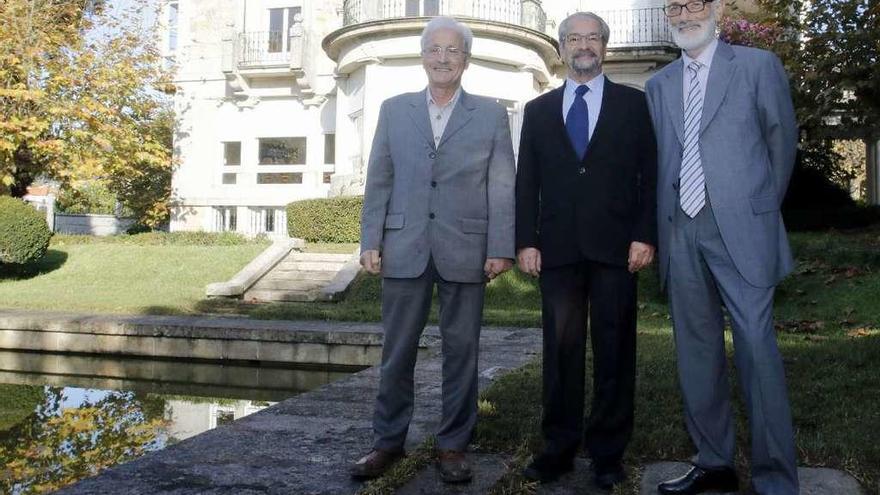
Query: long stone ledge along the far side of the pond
[[200, 338]]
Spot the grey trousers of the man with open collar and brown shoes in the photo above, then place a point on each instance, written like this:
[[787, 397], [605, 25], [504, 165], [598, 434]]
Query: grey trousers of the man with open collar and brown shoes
[[405, 307]]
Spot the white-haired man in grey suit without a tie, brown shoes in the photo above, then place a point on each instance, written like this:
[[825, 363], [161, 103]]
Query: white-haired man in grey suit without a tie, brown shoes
[[438, 210]]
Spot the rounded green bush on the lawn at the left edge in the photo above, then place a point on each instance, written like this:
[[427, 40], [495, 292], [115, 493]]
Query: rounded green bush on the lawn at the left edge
[[24, 235]]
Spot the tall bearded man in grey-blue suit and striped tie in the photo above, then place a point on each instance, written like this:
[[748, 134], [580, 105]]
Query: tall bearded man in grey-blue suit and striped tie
[[726, 137]]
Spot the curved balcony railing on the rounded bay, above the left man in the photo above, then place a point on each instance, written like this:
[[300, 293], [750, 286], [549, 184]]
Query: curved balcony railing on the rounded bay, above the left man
[[526, 13]]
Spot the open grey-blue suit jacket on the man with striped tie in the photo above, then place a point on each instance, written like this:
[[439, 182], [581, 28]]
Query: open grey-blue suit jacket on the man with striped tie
[[748, 142]]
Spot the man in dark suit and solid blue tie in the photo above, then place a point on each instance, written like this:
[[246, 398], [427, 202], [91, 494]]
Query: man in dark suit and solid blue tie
[[585, 222]]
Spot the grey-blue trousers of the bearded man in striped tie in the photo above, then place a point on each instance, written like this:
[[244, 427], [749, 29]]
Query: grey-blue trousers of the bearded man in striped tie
[[702, 277]]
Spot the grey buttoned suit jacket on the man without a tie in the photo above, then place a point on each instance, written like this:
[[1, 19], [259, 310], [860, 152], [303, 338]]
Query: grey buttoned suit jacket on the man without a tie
[[453, 202]]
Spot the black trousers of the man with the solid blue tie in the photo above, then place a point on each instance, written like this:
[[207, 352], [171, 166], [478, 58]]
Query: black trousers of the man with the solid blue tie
[[606, 296]]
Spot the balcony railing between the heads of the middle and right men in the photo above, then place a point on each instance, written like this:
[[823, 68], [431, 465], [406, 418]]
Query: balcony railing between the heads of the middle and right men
[[637, 28]]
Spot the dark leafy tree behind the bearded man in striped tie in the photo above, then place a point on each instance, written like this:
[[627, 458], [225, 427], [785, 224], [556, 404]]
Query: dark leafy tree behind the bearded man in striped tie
[[830, 51]]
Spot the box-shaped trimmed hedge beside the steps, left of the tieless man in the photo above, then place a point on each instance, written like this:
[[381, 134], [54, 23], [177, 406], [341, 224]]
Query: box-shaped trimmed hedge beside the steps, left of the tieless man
[[326, 220]]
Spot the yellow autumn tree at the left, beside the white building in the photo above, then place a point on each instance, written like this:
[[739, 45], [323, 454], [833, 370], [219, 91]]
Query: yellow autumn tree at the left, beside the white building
[[79, 101]]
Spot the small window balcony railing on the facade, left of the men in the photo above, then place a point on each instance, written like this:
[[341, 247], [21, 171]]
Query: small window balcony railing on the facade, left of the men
[[269, 48]]
